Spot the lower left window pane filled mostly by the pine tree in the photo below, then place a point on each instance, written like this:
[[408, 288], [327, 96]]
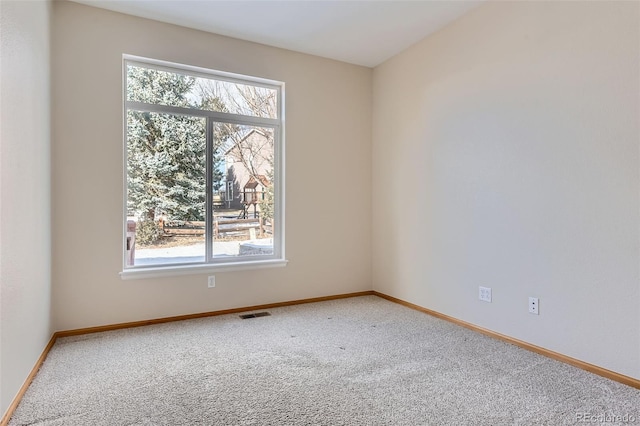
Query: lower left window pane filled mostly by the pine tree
[[166, 157]]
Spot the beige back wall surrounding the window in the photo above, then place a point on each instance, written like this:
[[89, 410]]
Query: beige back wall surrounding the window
[[328, 155]]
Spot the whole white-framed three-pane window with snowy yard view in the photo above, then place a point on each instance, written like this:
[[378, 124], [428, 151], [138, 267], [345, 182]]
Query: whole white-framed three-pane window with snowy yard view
[[203, 170]]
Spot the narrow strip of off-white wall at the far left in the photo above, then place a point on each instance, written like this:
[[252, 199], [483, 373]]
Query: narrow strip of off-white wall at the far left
[[25, 242]]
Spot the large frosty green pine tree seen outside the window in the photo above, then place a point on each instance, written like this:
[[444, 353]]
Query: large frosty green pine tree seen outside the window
[[166, 153]]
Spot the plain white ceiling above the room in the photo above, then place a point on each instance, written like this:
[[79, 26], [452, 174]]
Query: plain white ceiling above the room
[[362, 32]]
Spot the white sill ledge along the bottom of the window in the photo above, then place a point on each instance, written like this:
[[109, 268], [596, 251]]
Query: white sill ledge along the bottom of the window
[[172, 271]]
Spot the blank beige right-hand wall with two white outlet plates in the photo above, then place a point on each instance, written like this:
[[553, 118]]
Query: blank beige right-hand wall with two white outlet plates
[[505, 154]]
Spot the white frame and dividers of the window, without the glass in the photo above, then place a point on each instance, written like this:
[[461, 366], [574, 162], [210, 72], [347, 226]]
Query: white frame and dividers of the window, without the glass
[[211, 264]]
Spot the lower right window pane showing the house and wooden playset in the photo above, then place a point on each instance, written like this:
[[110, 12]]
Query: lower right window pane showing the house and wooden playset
[[243, 216]]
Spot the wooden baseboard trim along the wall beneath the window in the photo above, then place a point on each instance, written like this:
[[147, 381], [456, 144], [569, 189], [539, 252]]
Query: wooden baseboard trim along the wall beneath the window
[[124, 325]]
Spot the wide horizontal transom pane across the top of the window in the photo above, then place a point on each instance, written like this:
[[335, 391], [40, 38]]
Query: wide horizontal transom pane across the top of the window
[[160, 87]]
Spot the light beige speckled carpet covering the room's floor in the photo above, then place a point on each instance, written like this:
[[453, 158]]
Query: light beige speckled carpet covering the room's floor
[[356, 361]]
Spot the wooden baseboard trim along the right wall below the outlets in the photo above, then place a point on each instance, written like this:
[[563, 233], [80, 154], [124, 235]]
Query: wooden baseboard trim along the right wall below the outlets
[[629, 381]]
